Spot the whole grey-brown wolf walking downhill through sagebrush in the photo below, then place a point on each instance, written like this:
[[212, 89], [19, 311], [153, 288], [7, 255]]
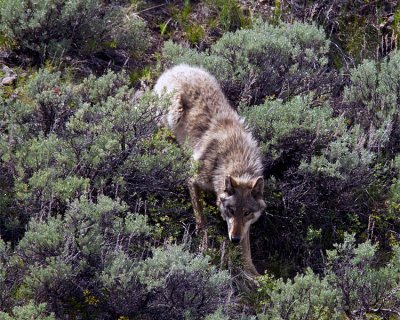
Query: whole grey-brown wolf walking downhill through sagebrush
[[228, 157]]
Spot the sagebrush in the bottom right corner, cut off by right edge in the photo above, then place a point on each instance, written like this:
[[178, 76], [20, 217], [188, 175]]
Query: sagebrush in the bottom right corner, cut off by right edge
[[364, 287]]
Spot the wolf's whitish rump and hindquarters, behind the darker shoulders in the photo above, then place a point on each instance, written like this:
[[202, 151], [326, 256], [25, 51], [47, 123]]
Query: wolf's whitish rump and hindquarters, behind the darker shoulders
[[196, 101]]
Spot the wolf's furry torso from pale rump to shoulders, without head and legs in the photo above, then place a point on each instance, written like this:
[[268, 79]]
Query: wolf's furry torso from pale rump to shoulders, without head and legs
[[201, 116]]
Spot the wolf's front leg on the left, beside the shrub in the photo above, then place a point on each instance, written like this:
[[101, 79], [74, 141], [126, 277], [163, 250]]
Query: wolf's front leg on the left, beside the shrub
[[201, 219]]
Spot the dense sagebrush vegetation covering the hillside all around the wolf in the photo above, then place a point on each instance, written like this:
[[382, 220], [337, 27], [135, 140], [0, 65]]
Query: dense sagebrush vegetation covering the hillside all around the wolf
[[95, 216]]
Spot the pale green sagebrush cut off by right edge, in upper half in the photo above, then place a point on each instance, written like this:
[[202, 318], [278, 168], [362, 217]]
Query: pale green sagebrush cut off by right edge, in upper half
[[374, 94]]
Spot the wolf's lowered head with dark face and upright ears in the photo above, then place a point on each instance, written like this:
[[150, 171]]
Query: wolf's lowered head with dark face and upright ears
[[241, 205]]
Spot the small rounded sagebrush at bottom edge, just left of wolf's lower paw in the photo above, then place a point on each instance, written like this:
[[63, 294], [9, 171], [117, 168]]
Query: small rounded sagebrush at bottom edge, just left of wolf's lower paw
[[182, 283]]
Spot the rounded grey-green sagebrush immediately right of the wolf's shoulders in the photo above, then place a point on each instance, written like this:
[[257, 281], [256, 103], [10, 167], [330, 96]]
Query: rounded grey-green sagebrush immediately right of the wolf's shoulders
[[333, 151]]
